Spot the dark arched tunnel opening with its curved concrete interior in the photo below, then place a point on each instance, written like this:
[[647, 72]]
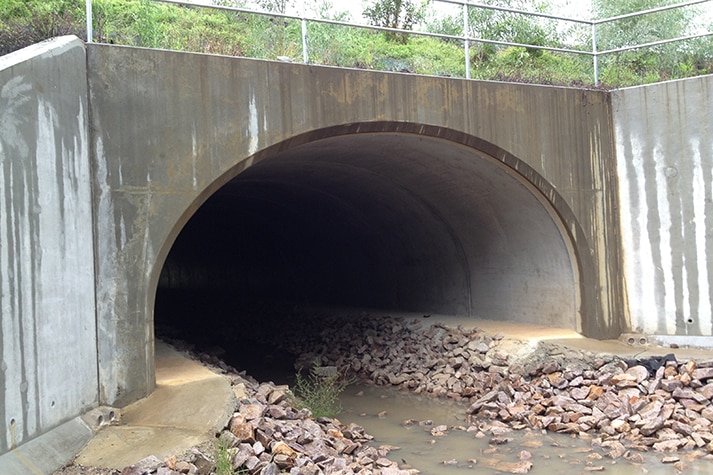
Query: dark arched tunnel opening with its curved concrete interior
[[389, 222]]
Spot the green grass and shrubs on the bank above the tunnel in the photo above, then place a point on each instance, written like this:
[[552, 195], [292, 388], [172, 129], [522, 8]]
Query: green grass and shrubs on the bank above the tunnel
[[154, 24]]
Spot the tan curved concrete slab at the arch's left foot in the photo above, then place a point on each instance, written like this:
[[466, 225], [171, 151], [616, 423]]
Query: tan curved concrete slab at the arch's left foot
[[190, 404]]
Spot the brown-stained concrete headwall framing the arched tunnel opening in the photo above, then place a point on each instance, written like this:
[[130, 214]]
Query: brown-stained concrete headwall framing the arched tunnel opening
[[171, 128]]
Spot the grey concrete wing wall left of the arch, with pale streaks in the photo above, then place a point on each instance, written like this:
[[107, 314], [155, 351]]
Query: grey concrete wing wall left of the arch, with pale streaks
[[48, 330]]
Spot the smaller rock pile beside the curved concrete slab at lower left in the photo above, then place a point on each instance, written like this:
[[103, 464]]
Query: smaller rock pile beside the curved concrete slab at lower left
[[268, 435]]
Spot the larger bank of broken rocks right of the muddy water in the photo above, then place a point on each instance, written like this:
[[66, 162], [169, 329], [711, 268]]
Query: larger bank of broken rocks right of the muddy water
[[657, 403]]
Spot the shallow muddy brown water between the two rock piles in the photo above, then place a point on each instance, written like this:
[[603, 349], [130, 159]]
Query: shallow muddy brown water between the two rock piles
[[383, 413]]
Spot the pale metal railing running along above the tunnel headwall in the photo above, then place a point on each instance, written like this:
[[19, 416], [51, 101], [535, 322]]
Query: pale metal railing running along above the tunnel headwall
[[465, 38]]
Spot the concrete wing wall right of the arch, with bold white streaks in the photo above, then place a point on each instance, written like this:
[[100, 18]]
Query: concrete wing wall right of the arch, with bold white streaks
[[664, 145]]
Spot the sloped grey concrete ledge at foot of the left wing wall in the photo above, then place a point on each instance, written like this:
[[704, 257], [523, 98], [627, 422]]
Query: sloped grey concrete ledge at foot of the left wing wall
[[48, 452]]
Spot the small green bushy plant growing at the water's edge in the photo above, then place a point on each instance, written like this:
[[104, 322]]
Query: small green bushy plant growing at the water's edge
[[319, 391]]
